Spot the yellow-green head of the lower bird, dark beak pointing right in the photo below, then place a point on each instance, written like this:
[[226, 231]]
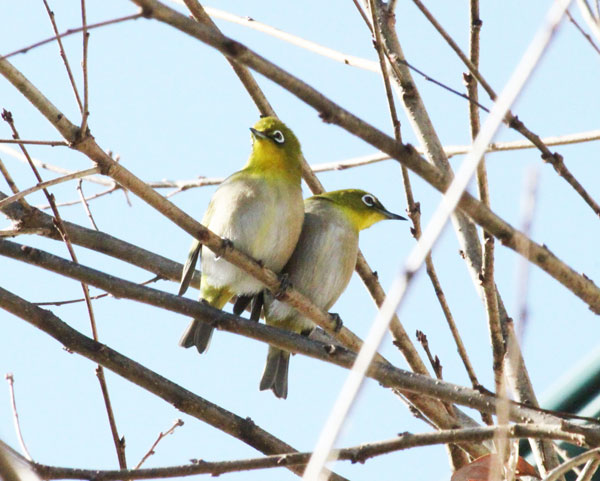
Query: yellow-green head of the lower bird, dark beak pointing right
[[362, 208]]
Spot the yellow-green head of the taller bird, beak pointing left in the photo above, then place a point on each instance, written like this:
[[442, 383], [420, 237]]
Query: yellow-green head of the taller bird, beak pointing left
[[275, 147]]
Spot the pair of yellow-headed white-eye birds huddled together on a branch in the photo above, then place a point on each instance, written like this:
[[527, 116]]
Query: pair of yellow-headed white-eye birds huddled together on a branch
[[313, 243]]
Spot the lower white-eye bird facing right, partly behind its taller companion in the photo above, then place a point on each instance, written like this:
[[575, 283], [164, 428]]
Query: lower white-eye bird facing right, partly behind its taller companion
[[320, 267]]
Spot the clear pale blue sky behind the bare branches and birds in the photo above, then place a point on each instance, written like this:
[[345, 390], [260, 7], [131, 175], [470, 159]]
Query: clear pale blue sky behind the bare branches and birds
[[172, 108]]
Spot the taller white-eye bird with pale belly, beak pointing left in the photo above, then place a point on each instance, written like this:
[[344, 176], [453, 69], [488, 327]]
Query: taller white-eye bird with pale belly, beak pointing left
[[260, 210]]
